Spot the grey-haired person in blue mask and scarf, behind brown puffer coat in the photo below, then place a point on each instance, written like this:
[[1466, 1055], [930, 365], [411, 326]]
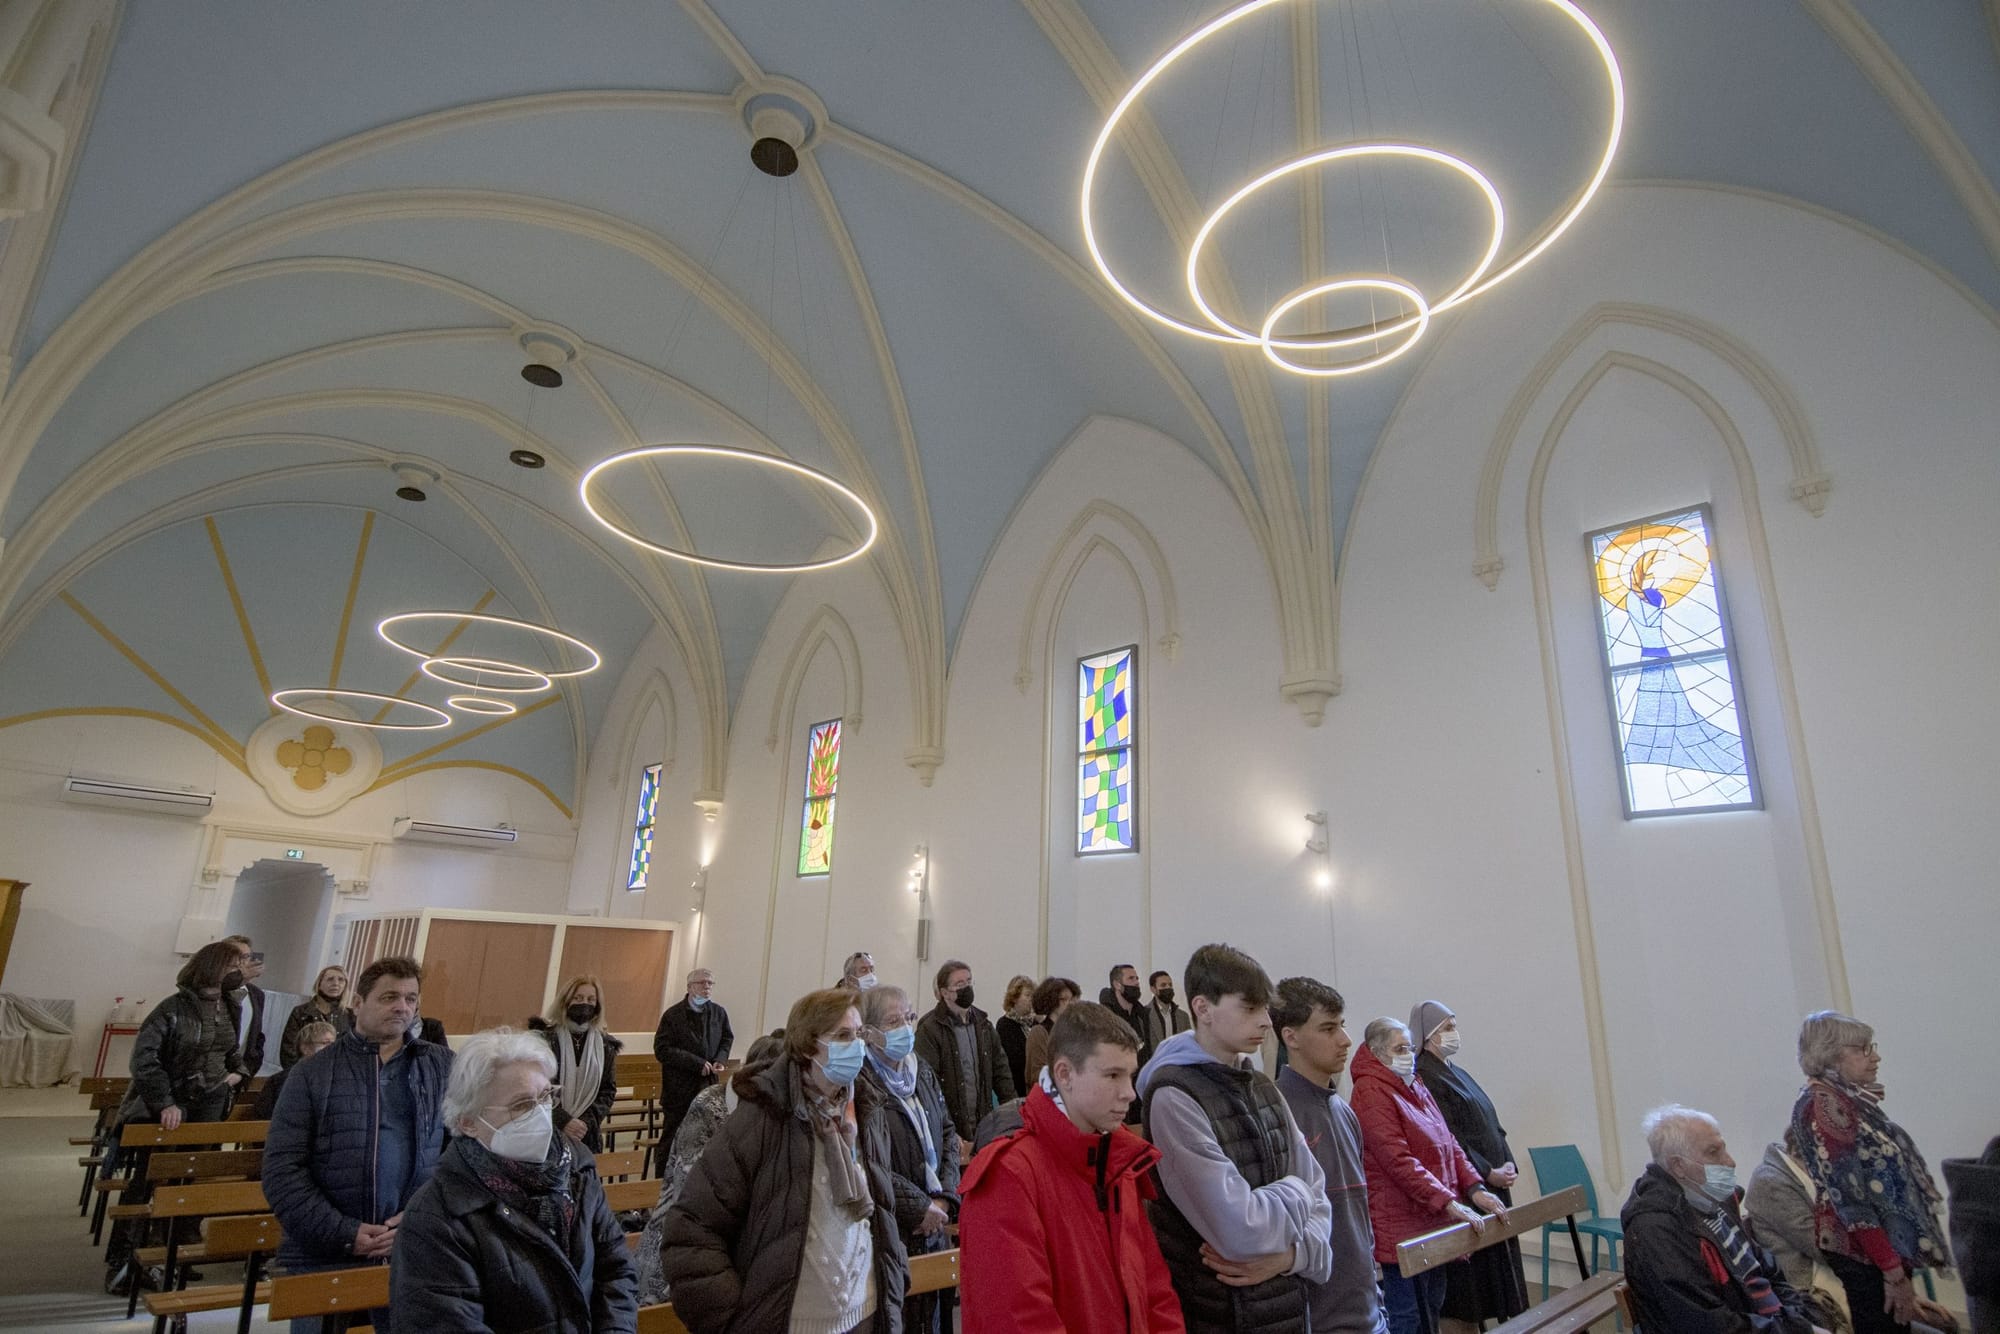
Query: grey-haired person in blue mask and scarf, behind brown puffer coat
[[923, 1147]]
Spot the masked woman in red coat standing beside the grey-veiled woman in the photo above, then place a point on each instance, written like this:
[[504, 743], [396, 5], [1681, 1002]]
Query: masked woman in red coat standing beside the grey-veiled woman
[[1419, 1179]]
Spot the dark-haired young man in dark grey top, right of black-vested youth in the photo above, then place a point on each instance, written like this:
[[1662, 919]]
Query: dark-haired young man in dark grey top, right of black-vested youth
[[1311, 1021]]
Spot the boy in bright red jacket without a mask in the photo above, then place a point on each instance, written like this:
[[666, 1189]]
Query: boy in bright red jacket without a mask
[[1055, 1211]]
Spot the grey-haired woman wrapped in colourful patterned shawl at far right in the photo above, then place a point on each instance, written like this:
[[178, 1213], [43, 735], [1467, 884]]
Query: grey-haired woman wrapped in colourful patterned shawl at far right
[[1877, 1209]]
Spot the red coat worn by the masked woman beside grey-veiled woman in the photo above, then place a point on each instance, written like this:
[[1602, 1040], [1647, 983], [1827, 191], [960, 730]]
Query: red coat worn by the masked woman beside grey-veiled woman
[[1415, 1165]]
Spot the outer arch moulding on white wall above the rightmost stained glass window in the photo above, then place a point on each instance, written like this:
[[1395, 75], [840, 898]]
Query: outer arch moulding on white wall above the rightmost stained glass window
[[1809, 475]]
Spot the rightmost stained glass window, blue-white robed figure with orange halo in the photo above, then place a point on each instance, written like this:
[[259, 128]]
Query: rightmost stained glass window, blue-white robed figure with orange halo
[[1673, 679]]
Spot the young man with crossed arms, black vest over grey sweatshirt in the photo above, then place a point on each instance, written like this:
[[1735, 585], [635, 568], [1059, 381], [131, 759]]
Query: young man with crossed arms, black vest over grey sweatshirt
[[1243, 1217]]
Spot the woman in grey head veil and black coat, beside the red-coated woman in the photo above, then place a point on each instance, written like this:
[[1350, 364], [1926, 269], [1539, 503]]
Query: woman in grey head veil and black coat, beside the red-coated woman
[[1491, 1285]]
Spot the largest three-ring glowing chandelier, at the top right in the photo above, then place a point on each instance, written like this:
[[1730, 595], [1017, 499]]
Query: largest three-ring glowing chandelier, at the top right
[[1419, 309]]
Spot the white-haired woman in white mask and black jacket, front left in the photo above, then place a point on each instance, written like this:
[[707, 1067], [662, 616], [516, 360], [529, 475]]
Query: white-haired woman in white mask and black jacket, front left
[[511, 1233]]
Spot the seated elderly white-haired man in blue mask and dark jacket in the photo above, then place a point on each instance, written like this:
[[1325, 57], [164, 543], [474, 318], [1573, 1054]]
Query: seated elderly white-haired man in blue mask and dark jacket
[[1689, 1261]]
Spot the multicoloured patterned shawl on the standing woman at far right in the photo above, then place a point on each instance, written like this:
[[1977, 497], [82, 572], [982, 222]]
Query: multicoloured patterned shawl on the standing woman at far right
[[1879, 1181]]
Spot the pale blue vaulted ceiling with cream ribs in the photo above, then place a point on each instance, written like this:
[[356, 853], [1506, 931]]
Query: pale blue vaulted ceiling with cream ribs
[[305, 245]]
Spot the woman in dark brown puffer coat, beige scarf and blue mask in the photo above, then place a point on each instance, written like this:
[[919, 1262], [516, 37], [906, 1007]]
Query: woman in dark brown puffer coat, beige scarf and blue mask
[[789, 1219]]
